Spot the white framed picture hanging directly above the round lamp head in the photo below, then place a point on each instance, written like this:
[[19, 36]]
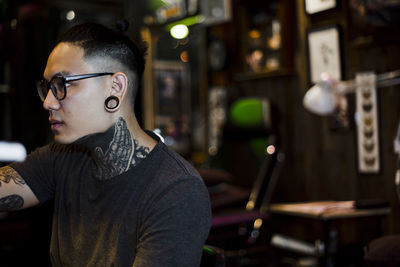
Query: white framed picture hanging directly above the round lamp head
[[324, 53]]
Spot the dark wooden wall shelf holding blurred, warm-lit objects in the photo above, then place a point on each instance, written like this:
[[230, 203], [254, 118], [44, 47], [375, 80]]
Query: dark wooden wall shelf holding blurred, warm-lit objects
[[265, 38]]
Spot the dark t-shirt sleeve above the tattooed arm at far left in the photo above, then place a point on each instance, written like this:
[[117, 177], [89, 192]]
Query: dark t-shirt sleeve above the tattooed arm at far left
[[37, 172]]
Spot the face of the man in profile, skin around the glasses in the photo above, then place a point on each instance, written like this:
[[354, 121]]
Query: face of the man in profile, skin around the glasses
[[82, 111]]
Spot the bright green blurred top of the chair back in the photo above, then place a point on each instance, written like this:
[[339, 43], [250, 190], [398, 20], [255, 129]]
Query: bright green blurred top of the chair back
[[247, 112]]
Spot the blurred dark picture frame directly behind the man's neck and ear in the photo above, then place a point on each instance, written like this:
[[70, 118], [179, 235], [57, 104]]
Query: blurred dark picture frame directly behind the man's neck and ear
[[172, 112]]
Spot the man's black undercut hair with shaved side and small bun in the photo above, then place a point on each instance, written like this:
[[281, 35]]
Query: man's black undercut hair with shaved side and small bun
[[101, 42]]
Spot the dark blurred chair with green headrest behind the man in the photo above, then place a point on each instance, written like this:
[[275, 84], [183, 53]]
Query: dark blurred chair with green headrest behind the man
[[239, 209]]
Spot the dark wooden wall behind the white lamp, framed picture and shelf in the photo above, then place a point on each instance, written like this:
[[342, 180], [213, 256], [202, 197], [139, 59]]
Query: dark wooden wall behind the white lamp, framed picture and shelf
[[321, 159]]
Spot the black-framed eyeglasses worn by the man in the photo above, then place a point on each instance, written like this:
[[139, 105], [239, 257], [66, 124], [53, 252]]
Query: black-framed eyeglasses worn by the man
[[58, 83]]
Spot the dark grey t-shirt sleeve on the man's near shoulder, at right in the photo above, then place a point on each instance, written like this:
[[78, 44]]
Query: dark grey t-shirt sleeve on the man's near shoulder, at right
[[175, 226]]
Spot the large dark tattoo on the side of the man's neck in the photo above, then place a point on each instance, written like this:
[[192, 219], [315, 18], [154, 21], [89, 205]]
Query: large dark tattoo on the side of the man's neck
[[122, 153]]
